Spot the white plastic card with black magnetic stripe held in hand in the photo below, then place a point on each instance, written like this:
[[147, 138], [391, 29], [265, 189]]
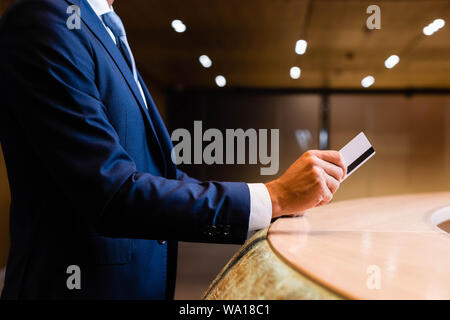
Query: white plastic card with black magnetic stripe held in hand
[[356, 153]]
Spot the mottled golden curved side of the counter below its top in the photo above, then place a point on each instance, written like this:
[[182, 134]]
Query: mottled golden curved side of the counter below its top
[[256, 272]]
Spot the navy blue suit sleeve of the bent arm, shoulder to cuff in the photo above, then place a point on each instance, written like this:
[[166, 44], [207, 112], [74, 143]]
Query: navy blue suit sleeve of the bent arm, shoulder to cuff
[[53, 96]]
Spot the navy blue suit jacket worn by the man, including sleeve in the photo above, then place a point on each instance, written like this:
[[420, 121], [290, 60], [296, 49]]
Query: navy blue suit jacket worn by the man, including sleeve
[[91, 179]]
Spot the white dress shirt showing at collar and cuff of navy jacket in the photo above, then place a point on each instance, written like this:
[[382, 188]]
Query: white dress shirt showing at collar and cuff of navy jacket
[[260, 202]]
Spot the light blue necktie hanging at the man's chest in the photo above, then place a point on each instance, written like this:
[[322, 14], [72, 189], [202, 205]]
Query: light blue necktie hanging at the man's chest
[[113, 22]]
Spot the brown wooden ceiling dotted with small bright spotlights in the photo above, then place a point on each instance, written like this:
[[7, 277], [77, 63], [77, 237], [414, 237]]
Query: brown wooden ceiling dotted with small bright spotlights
[[252, 42]]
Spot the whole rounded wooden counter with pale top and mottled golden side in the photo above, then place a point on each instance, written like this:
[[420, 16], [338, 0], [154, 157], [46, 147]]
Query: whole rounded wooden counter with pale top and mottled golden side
[[373, 248]]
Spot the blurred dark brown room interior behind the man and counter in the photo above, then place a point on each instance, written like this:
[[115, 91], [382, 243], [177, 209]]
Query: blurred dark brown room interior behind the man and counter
[[405, 113]]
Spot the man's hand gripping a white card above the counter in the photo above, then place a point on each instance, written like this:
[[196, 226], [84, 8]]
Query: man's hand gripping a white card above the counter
[[309, 182]]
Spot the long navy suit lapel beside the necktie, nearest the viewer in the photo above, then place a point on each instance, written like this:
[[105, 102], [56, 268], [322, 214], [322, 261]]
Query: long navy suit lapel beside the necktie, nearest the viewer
[[94, 24]]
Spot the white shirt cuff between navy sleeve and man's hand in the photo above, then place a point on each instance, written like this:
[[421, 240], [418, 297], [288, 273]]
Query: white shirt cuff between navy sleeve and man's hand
[[260, 207]]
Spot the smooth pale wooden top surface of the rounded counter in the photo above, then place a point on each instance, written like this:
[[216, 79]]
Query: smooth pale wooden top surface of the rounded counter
[[343, 246]]
